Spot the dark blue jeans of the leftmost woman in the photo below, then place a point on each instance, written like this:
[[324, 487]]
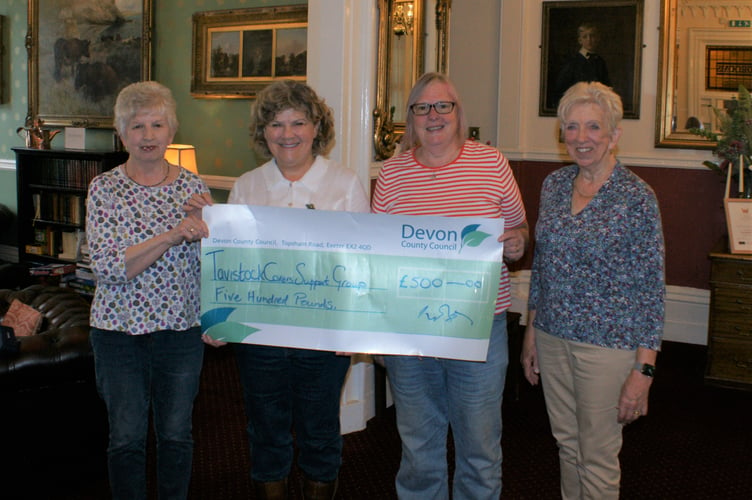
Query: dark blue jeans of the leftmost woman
[[160, 369]]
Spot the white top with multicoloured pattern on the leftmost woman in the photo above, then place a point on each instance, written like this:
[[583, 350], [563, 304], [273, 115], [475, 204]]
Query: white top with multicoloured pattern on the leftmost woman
[[121, 213]]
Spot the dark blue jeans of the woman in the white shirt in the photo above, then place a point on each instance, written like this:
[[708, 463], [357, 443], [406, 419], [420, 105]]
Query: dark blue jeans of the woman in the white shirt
[[288, 388]]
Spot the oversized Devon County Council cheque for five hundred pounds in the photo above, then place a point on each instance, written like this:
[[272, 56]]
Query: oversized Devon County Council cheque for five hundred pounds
[[350, 282]]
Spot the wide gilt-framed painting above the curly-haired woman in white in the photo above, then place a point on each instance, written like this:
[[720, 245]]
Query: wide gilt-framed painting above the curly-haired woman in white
[[236, 53]]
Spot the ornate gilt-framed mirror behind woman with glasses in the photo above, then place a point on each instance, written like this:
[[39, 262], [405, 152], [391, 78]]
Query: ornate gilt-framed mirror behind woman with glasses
[[413, 38]]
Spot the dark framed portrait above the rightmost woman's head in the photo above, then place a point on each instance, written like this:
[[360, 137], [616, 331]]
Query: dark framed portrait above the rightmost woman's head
[[591, 41]]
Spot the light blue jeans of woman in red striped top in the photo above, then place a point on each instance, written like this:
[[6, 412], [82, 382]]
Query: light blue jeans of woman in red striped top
[[431, 394]]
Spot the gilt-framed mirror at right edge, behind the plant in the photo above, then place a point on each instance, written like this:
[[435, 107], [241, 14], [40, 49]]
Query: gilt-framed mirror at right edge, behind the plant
[[705, 54]]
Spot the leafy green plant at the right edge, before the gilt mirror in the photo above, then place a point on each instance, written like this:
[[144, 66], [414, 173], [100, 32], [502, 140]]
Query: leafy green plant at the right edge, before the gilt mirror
[[733, 142]]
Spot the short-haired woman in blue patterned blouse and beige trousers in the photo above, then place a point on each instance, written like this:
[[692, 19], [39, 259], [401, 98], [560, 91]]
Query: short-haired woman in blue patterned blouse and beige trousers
[[596, 301]]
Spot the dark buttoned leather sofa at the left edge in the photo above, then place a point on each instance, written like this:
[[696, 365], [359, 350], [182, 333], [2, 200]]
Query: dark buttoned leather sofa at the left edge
[[52, 419]]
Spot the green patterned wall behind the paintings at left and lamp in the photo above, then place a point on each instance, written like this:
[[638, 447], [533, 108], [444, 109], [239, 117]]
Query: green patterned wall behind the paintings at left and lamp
[[217, 127]]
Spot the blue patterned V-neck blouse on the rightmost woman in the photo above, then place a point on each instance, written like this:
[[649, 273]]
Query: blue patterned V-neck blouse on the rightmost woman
[[598, 276]]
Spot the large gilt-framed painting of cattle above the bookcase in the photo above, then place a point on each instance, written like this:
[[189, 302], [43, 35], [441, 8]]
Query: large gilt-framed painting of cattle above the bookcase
[[81, 54]]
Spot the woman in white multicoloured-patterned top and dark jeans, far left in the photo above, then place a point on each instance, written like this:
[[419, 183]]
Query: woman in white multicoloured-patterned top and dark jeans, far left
[[143, 232]]
